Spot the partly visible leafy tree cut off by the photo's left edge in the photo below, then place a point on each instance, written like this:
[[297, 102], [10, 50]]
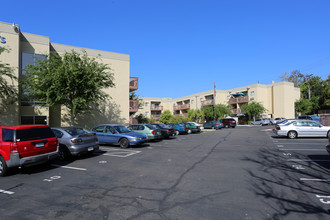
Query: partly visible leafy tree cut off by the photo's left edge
[[8, 90]]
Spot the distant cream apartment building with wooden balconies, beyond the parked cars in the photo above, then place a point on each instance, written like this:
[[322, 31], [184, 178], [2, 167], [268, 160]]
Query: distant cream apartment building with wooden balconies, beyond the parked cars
[[278, 99]]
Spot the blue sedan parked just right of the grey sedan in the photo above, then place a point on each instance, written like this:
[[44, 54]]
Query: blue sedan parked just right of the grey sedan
[[118, 135]]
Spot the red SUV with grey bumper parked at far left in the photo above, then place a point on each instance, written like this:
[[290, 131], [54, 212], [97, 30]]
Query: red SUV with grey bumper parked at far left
[[23, 145]]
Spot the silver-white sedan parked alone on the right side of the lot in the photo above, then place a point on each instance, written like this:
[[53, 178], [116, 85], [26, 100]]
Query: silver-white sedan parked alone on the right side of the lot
[[303, 128]]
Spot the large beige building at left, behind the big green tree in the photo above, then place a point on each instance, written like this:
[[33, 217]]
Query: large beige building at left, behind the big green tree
[[26, 48]]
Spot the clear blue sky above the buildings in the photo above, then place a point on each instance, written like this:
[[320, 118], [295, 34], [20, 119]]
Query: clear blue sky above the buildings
[[181, 47]]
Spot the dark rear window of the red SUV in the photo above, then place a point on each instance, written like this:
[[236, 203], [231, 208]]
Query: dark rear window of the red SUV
[[34, 134]]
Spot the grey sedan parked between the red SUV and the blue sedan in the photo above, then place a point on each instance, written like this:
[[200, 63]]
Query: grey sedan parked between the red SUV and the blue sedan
[[74, 141]]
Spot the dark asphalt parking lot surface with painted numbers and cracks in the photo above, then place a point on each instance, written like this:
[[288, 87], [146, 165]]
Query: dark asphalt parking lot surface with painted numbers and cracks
[[242, 173]]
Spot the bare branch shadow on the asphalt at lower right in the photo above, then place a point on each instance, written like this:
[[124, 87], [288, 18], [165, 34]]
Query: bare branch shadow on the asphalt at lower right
[[276, 175]]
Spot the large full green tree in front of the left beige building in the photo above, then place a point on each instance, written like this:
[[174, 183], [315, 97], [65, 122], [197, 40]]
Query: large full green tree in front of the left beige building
[[73, 80]]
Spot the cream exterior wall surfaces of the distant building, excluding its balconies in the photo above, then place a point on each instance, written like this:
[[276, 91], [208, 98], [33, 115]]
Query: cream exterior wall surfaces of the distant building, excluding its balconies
[[277, 98]]
